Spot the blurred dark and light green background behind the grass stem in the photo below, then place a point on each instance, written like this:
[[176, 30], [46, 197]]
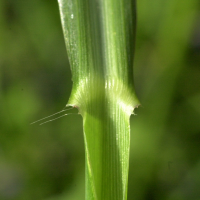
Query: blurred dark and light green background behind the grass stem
[[47, 162]]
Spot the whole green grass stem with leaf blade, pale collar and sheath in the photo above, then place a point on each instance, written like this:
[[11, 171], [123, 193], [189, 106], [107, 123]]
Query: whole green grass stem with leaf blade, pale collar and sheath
[[100, 37]]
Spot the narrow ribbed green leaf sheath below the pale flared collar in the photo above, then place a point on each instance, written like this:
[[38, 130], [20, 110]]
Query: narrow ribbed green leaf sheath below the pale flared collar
[[107, 152]]
